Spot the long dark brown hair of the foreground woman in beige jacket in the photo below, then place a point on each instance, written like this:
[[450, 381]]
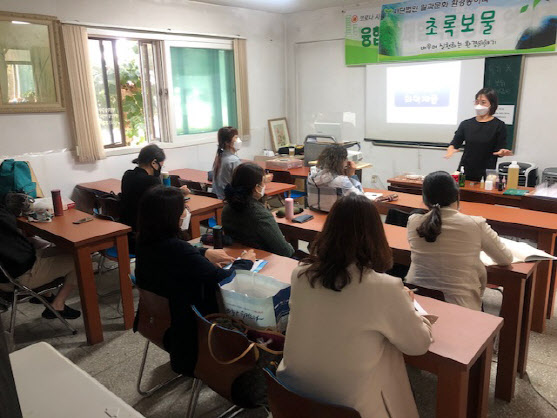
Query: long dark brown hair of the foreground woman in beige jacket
[[352, 234]]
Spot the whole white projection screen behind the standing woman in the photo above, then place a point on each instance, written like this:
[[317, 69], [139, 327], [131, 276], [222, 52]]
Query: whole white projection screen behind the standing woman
[[421, 102]]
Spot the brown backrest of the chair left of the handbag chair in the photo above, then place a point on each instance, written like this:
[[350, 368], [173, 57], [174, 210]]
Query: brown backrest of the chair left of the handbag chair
[[153, 316]]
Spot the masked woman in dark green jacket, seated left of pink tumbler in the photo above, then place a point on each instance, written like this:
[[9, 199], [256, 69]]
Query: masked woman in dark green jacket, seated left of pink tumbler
[[245, 219]]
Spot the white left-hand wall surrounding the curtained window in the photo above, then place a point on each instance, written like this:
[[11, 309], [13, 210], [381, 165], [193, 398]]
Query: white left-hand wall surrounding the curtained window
[[45, 139]]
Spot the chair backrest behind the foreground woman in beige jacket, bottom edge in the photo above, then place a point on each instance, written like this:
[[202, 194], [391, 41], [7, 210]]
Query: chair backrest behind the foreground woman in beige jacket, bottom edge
[[285, 403]]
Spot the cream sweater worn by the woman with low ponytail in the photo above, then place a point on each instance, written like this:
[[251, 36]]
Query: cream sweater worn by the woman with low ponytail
[[452, 263]]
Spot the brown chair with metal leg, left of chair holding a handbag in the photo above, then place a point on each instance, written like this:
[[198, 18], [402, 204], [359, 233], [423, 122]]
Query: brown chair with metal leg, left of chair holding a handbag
[[153, 319]]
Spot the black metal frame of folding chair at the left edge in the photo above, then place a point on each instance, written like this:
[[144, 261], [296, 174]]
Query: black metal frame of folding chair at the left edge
[[23, 293]]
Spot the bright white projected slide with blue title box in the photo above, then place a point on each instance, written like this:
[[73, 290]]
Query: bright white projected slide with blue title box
[[423, 94]]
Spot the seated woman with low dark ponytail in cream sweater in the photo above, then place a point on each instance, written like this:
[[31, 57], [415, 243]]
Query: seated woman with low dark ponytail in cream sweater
[[446, 245]]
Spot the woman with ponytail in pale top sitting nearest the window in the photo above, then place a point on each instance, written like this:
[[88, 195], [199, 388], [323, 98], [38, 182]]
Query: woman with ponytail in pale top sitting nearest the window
[[226, 159]]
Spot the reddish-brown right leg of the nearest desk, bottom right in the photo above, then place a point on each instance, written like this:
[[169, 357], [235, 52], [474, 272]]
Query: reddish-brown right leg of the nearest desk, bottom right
[[478, 385]]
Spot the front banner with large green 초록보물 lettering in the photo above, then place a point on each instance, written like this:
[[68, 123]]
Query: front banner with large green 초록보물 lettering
[[427, 30]]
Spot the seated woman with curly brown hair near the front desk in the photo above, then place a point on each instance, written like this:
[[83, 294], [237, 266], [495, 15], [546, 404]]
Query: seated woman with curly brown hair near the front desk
[[335, 177]]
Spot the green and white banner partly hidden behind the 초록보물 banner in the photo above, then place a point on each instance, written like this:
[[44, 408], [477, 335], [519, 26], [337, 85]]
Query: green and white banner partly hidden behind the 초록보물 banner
[[361, 45]]
